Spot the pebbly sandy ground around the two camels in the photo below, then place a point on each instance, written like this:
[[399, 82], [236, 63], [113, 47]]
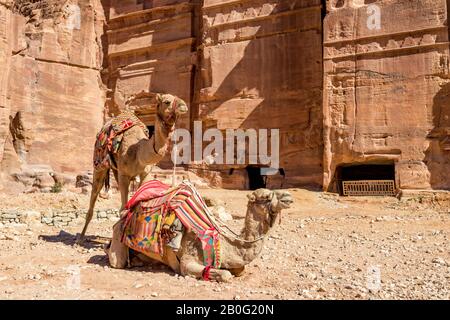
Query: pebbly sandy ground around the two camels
[[326, 247]]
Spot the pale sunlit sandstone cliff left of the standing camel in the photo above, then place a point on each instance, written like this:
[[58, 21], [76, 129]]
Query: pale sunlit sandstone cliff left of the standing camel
[[51, 95]]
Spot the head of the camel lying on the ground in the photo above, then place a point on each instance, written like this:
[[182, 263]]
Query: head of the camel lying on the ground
[[266, 205]]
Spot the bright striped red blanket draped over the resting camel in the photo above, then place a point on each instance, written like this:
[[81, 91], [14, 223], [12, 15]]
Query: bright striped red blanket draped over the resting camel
[[147, 214]]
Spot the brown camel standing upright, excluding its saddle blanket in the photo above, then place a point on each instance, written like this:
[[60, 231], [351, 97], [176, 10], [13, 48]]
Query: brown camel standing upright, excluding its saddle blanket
[[137, 153]]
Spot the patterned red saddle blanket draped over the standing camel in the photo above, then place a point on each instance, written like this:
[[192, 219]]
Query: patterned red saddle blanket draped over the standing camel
[[109, 138]]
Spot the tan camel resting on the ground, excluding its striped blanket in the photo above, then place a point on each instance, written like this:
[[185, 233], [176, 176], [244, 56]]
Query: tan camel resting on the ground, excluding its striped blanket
[[236, 251]]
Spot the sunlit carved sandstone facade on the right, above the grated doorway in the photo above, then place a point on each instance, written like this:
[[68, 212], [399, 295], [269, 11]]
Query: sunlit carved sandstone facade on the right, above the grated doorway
[[387, 89]]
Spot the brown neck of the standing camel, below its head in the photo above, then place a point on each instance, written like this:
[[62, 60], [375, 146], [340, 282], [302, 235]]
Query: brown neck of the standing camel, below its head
[[158, 144]]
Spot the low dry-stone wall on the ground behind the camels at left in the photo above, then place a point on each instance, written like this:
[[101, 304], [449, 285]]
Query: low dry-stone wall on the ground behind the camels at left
[[58, 218]]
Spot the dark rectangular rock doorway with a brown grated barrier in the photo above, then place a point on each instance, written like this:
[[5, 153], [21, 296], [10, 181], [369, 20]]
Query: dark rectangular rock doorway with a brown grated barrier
[[366, 179]]
